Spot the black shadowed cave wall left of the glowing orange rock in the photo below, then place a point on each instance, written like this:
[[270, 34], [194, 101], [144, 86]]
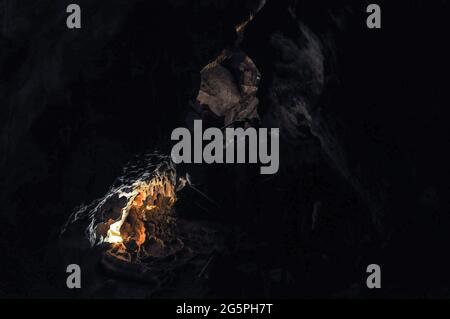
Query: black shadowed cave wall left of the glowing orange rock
[[77, 103]]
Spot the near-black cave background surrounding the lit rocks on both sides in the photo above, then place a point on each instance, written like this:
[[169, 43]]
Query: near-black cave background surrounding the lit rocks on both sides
[[369, 166]]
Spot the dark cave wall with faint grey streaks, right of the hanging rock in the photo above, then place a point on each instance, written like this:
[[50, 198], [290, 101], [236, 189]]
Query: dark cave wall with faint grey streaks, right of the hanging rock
[[360, 94]]
